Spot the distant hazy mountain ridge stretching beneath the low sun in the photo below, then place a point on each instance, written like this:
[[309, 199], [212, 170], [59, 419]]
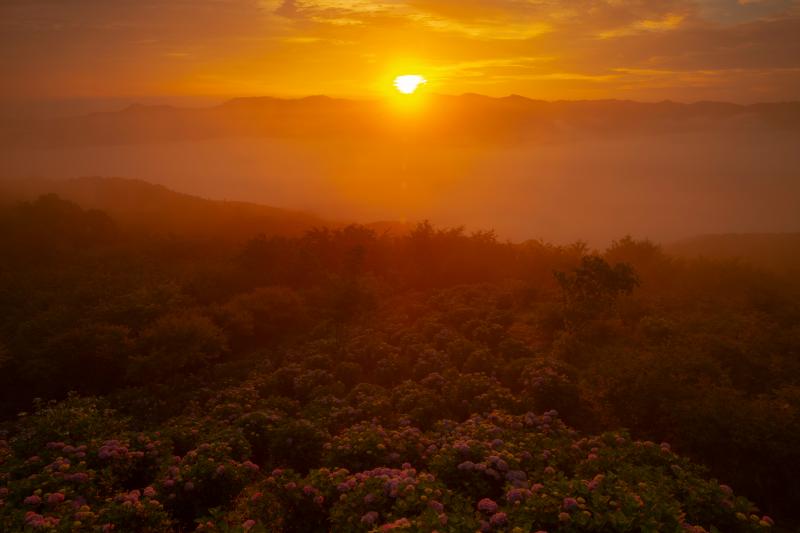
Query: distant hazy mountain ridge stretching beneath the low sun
[[468, 117]]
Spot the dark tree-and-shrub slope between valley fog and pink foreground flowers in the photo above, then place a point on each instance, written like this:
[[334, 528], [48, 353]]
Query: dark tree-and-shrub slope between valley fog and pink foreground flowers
[[350, 326]]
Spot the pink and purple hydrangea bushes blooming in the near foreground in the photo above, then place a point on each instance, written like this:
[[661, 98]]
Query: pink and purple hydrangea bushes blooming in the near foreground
[[68, 469]]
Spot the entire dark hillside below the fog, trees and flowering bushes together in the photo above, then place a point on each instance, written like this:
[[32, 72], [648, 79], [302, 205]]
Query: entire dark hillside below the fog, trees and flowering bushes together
[[347, 380]]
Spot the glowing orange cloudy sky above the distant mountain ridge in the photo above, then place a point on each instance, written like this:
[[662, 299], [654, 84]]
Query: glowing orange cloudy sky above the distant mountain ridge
[[743, 51]]
